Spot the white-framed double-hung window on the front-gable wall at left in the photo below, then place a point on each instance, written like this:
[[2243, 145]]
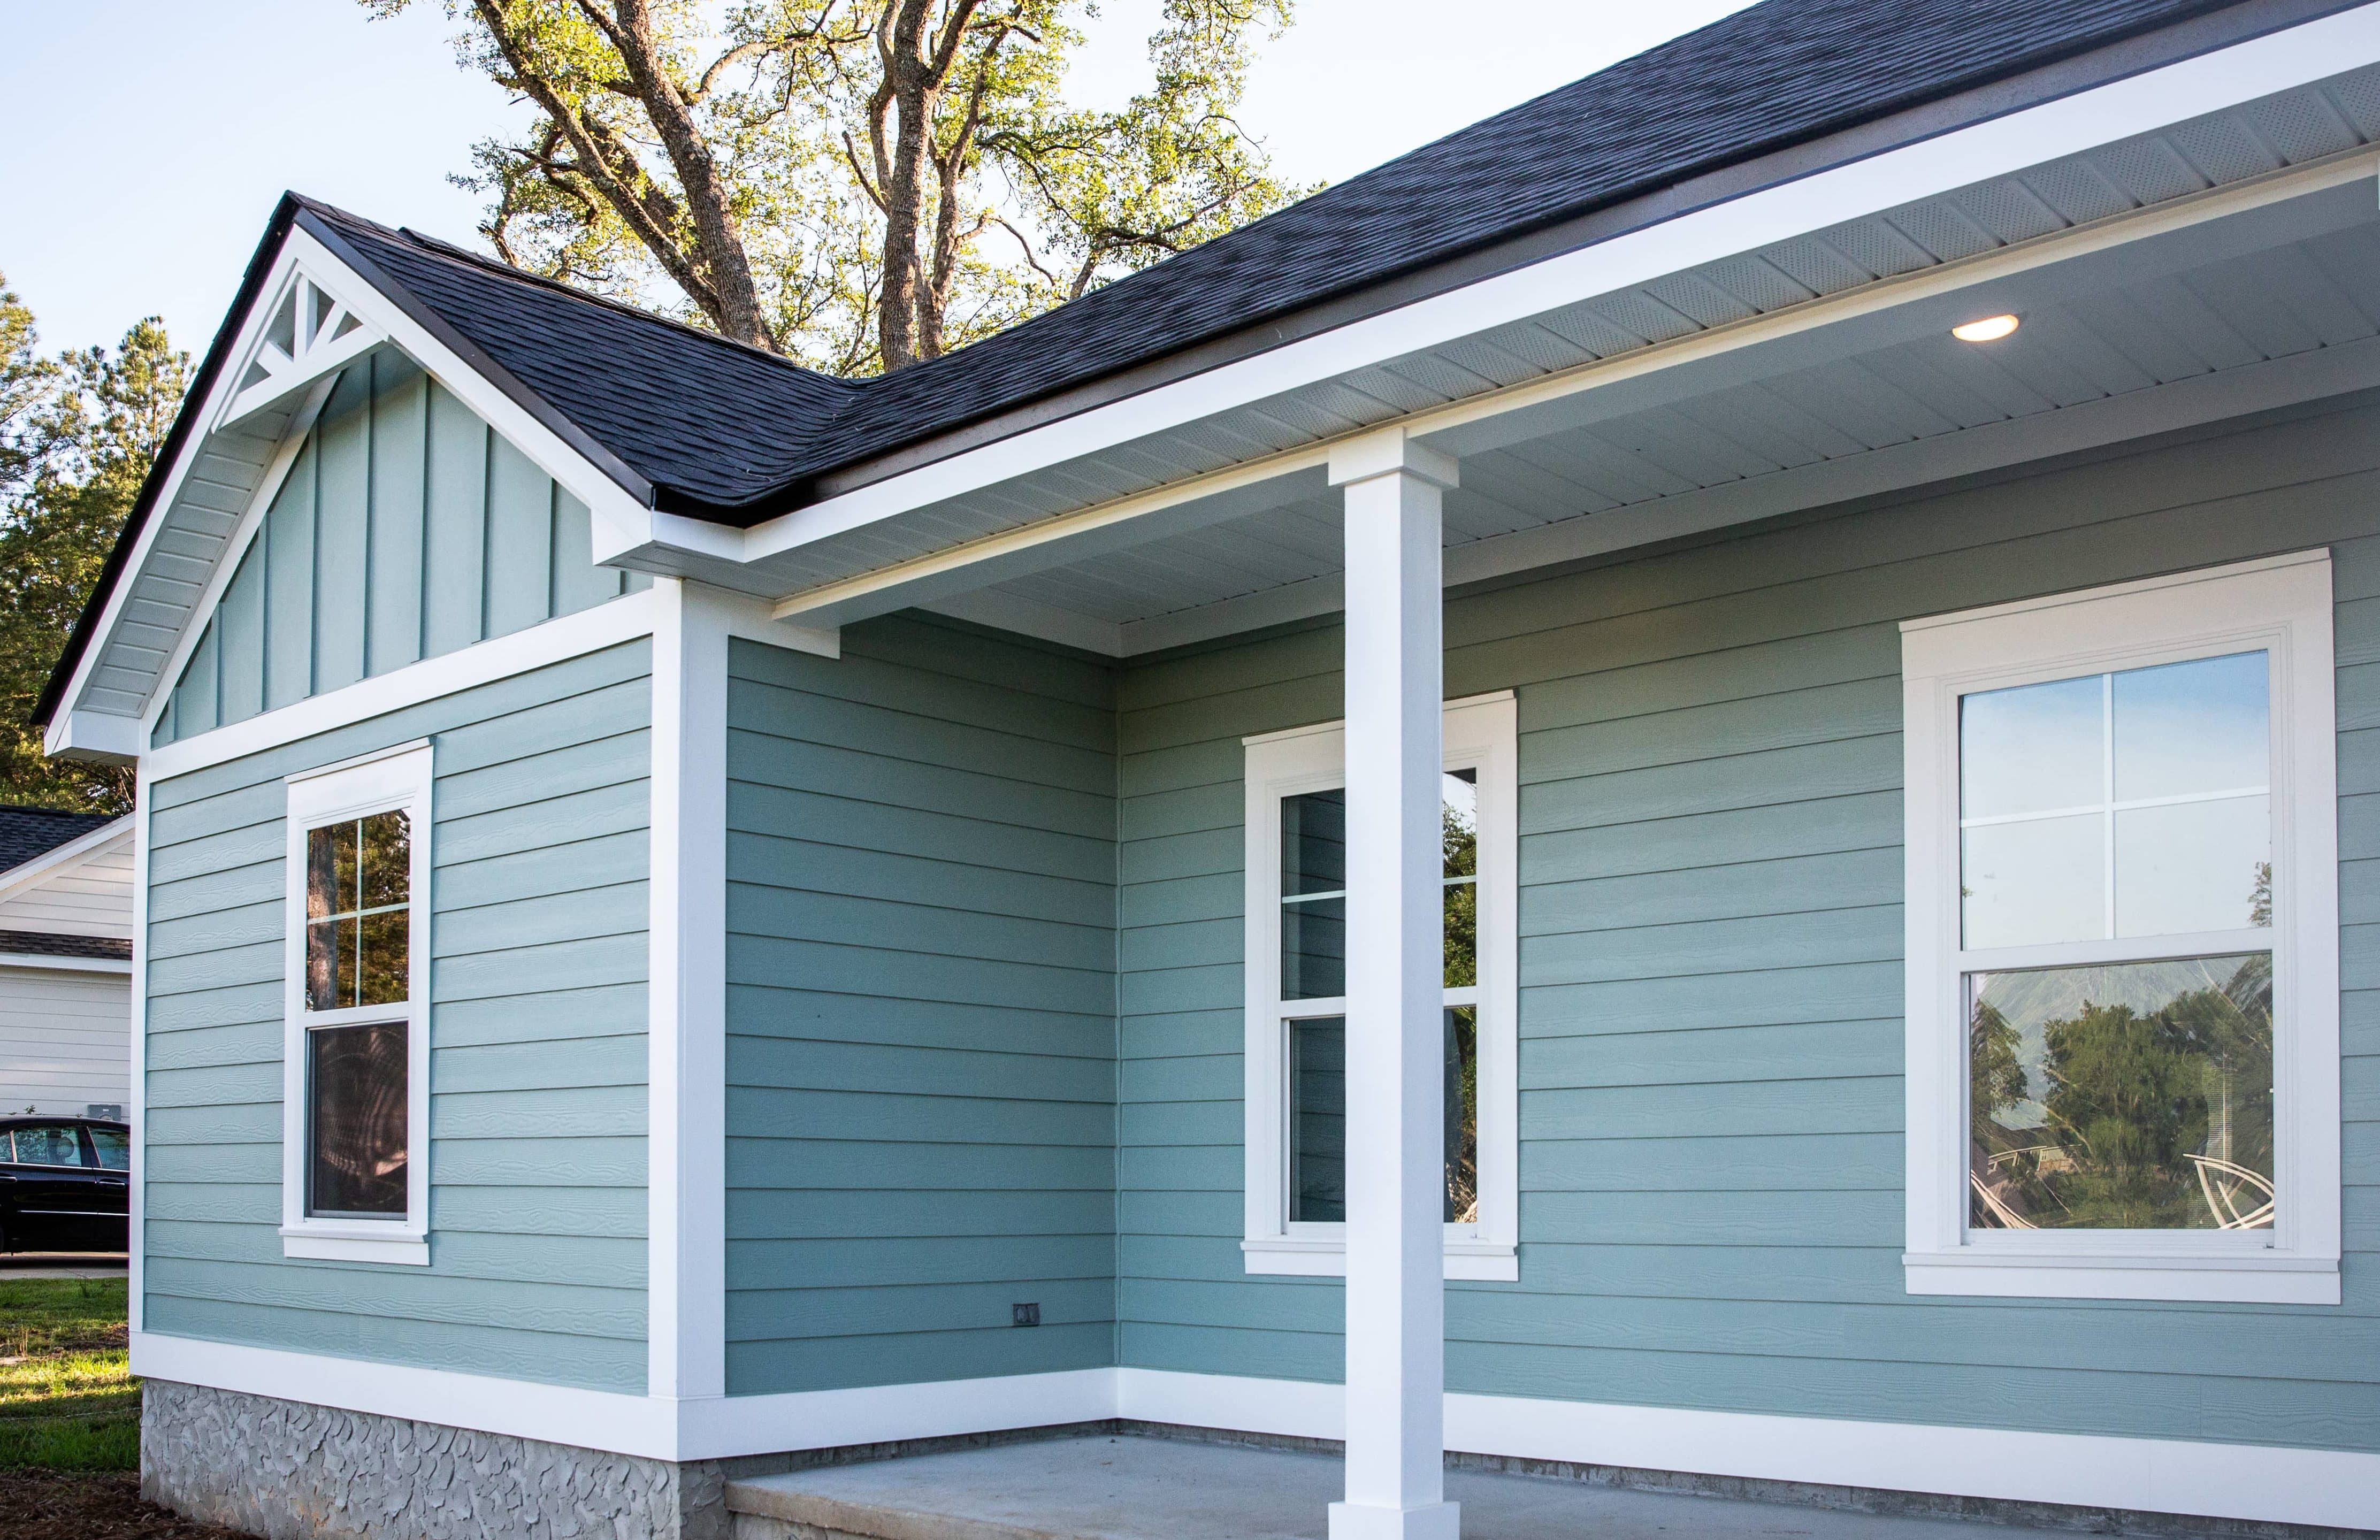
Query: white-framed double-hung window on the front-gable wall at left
[[356, 1048]]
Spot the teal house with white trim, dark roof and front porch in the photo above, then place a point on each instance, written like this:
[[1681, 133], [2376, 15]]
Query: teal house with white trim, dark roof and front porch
[[684, 903]]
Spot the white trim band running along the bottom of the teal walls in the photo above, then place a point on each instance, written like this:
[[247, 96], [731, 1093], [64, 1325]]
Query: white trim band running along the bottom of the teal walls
[[2143, 1475]]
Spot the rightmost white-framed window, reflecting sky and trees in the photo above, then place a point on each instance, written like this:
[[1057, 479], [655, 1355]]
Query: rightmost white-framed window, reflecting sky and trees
[[2124, 1056]]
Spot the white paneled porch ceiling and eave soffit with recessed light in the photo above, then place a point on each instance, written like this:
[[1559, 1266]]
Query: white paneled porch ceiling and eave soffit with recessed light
[[2262, 263]]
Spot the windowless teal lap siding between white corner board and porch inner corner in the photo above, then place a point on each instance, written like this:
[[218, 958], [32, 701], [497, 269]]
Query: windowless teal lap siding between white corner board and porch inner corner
[[922, 1018]]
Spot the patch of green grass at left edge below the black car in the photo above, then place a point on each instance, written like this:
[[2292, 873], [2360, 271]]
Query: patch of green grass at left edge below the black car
[[68, 1401]]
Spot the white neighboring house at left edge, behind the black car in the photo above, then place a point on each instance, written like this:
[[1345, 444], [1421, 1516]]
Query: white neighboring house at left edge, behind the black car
[[65, 963]]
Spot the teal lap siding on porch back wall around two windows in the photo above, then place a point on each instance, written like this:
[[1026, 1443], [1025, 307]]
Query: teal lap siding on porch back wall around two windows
[[1712, 975]]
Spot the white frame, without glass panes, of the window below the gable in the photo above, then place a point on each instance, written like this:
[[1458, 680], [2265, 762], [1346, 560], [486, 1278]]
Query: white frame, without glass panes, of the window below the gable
[[396, 780]]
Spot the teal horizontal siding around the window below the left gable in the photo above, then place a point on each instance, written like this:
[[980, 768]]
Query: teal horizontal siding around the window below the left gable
[[539, 913]]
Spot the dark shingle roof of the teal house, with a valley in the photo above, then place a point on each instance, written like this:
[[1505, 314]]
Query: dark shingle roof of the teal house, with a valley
[[734, 434]]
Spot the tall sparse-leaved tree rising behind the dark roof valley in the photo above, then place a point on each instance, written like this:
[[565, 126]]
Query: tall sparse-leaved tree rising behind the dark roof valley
[[858, 184]]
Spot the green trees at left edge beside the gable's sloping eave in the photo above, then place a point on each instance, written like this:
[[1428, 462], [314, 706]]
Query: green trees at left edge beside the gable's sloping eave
[[77, 437]]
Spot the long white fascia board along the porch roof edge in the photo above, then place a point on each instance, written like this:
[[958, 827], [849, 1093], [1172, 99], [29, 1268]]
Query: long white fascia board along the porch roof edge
[[1967, 156]]
